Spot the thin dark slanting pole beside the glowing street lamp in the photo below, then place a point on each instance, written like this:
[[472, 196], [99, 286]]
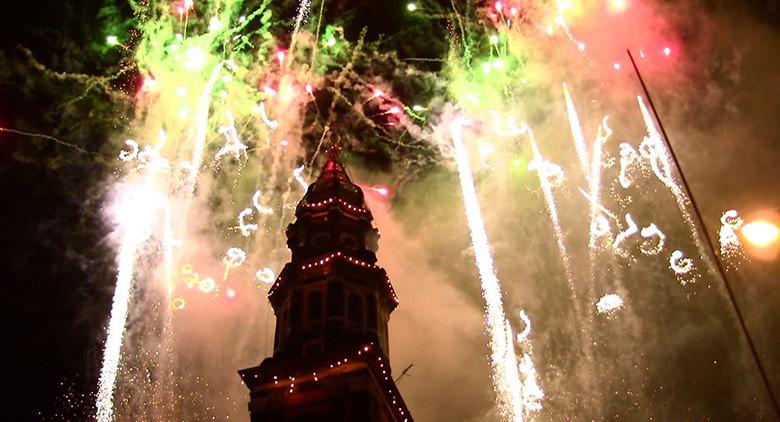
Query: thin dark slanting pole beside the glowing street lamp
[[711, 247]]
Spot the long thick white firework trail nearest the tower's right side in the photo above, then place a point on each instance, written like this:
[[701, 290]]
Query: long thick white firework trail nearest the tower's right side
[[505, 378]]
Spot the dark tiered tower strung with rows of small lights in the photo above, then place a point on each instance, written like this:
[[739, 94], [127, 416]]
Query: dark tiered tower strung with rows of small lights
[[332, 304]]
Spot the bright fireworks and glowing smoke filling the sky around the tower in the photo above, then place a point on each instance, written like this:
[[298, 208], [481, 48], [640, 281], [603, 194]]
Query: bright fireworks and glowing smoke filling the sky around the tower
[[503, 140]]
